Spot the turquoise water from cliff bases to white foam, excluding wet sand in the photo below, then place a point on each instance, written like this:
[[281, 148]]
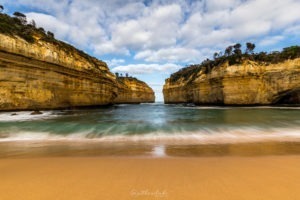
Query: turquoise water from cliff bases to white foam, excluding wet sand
[[153, 122]]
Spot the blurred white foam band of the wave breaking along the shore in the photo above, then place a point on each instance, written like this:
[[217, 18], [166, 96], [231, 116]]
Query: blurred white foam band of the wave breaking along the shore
[[235, 135]]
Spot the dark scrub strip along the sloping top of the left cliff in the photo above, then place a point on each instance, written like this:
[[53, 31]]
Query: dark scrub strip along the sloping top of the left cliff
[[14, 26]]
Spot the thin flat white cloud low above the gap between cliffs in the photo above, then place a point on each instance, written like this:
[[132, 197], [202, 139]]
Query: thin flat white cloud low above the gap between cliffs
[[147, 68]]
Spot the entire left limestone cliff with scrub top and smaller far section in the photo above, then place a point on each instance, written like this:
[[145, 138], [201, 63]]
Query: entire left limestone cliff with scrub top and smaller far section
[[39, 72]]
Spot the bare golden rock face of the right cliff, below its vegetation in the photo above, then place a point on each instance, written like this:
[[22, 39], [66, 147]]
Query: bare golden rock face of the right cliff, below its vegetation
[[249, 83]]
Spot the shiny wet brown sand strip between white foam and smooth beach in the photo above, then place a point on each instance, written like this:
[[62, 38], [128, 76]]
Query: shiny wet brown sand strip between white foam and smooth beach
[[66, 149]]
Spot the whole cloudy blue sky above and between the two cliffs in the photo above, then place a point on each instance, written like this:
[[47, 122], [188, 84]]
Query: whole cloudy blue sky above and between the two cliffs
[[151, 39]]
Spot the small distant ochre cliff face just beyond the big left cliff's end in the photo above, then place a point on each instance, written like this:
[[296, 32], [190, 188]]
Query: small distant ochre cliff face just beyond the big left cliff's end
[[132, 90]]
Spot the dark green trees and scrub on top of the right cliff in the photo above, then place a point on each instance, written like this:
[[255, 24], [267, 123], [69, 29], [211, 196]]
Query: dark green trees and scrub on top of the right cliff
[[234, 55]]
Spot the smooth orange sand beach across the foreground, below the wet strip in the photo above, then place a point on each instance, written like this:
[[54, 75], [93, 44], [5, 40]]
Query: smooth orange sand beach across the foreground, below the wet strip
[[226, 177]]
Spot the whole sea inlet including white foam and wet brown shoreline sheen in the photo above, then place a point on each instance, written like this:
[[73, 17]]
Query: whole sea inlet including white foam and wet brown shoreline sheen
[[154, 129]]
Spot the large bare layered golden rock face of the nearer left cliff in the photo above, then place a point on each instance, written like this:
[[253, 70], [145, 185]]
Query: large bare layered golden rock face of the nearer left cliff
[[41, 75]]
